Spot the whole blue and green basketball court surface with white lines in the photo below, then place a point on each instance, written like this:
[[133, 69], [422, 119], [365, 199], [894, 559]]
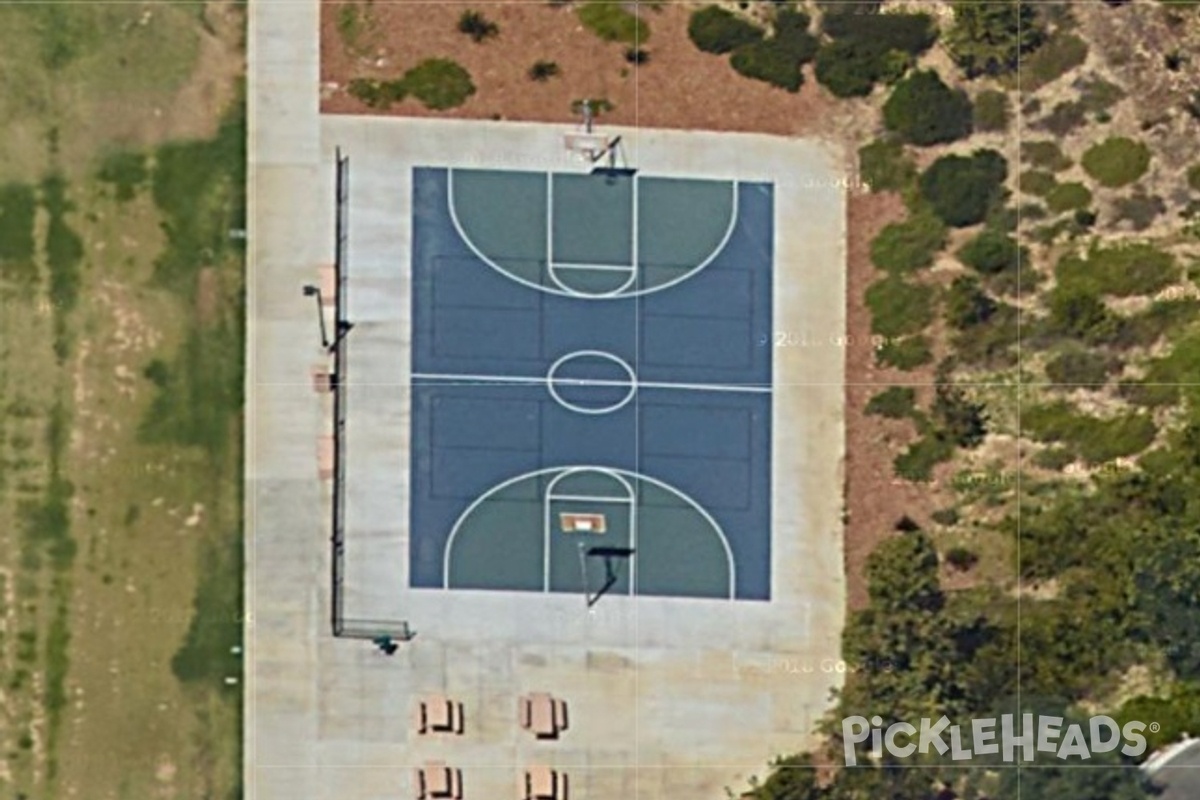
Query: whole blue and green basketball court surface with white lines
[[589, 374]]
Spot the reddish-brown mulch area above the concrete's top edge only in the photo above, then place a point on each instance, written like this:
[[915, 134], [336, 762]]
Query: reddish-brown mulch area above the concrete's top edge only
[[679, 88]]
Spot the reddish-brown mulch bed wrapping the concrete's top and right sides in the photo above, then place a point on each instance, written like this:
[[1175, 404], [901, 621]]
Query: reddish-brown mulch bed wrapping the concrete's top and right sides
[[680, 88]]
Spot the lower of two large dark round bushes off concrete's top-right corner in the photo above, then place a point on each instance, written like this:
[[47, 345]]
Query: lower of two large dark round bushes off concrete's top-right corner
[[963, 190]]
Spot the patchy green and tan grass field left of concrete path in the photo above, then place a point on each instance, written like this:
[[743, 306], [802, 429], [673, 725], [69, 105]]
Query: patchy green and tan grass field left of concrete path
[[121, 395]]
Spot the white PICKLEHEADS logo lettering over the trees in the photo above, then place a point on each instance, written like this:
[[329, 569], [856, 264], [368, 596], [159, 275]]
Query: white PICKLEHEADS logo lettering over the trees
[[995, 737]]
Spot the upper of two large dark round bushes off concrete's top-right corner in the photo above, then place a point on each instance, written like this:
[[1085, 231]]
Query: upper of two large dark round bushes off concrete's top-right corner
[[925, 111]]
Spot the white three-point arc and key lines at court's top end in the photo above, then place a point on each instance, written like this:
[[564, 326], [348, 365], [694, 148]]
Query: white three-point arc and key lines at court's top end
[[551, 266]]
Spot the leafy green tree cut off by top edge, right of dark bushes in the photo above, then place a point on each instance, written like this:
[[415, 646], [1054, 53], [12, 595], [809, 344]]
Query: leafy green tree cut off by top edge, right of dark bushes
[[991, 38]]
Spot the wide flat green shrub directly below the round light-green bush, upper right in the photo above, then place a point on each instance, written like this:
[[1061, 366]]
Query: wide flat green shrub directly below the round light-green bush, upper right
[[1123, 270]]
